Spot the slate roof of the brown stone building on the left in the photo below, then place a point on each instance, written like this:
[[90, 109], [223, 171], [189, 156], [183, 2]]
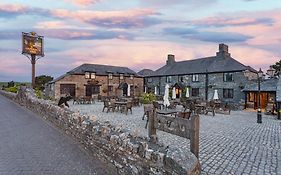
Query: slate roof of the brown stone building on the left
[[102, 70]]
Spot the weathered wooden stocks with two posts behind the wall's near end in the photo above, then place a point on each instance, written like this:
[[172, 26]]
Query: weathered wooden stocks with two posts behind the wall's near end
[[187, 128]]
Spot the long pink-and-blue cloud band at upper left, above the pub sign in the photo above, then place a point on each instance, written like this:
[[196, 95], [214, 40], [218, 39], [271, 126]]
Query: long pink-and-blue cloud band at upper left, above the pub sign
[[132, 18]]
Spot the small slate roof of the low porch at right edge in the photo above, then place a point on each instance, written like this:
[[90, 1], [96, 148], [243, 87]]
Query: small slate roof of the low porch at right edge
[[269, 85]]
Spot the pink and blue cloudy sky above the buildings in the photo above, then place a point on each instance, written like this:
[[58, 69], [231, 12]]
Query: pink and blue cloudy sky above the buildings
[[136, 33]]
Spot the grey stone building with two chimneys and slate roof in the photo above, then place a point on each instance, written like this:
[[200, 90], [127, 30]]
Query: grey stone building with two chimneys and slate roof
[[202, 77]]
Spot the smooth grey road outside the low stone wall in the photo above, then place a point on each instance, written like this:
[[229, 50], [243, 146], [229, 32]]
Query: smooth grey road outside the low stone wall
[[28, 146]]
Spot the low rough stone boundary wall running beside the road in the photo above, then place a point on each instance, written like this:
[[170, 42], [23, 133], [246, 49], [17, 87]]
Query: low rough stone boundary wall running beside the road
[[117, 146]]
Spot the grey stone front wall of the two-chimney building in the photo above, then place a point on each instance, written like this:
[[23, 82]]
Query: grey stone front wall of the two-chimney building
[[215, 82]]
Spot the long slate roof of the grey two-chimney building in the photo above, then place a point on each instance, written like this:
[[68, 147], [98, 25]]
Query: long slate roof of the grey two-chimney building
[[201, 65]]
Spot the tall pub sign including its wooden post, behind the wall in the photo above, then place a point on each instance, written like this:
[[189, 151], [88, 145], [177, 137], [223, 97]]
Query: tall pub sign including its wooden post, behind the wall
[[32, 47]]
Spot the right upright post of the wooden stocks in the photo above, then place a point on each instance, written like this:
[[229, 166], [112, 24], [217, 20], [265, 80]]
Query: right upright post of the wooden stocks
[[194, 135]]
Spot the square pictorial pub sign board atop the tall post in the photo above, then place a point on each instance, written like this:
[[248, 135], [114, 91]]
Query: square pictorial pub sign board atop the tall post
[[32, 44]]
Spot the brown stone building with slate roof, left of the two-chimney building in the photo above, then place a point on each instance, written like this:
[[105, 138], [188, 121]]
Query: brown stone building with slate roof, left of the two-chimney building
[[95, 79]]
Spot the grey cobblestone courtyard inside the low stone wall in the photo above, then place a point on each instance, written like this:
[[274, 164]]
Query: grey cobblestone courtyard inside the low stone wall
[[229, 144]]
